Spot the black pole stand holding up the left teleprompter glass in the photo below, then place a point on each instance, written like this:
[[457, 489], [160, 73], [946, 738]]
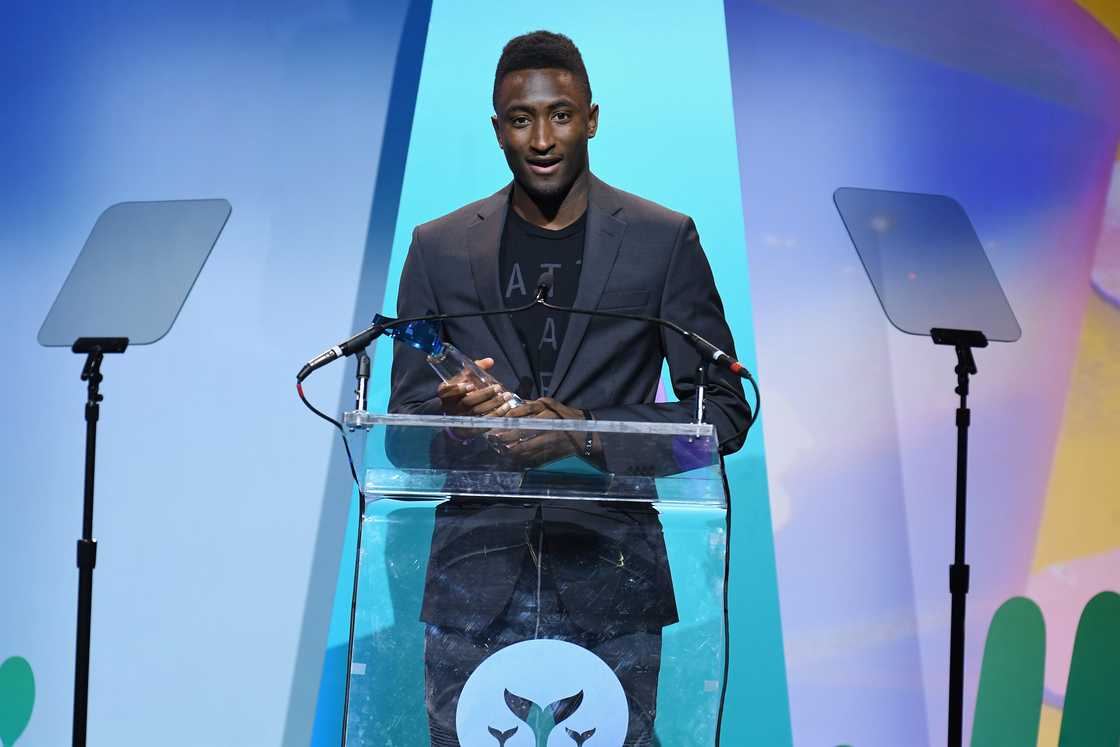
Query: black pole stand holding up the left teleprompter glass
[[95, 350]]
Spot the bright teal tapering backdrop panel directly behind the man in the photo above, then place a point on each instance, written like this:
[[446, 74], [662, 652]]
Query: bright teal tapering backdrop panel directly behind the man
[[660, 74]]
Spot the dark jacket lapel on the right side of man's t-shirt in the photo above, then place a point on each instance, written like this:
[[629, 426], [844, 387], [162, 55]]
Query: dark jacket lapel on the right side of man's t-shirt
[[605, 229]]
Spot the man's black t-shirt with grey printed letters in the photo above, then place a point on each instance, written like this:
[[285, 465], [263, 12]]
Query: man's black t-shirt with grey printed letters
[[527, 253]]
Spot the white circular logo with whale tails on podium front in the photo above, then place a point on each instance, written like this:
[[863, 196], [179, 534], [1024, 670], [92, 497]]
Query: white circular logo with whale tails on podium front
[[543, 694]]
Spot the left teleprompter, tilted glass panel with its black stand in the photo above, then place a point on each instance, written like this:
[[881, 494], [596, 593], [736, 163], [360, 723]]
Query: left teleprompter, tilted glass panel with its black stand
[[127, 287]]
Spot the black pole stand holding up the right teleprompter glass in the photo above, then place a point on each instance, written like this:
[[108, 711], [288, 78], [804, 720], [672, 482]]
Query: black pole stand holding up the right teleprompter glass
[[964, 341]]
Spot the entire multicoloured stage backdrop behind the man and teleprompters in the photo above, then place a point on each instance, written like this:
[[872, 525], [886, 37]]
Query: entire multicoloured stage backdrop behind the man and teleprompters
[[222, 510]]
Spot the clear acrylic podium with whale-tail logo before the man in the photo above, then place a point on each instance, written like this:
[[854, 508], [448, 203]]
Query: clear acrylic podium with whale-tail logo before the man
[[447, 505]]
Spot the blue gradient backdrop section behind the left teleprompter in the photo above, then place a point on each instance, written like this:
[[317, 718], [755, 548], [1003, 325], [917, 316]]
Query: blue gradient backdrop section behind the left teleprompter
[[211, 475]]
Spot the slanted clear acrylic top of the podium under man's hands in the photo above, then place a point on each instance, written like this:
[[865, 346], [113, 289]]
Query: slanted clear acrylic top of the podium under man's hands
[[521, 459]]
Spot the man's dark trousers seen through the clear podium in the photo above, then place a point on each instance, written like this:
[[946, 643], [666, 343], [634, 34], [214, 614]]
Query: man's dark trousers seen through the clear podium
[[536, 612]]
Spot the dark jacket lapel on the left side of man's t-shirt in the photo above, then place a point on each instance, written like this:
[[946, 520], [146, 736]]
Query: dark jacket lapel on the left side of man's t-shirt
[[484, 241]]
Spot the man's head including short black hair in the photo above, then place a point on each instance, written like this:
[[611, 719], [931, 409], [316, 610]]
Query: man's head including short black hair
[[544, 115]]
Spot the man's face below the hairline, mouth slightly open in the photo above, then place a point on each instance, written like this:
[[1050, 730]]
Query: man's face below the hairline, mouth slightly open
[[544, 123]]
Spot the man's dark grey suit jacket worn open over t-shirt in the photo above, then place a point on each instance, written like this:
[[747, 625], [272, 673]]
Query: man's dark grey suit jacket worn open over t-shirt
[[639, 258]]
